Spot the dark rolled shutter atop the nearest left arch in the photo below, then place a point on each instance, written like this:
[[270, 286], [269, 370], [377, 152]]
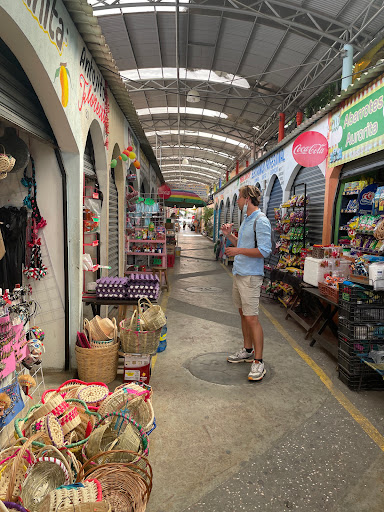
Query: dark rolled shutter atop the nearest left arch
[[19, 103]]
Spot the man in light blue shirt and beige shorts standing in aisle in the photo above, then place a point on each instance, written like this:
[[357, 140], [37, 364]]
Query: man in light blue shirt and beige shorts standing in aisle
[[251, 247]]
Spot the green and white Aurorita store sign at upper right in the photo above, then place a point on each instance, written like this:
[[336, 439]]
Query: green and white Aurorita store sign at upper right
[[358, 128]]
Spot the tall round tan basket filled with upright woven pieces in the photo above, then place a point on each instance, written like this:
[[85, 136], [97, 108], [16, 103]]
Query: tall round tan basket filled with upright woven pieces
[[97, 350]]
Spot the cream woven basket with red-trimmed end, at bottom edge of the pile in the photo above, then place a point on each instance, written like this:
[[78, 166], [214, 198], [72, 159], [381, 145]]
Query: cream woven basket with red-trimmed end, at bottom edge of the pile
[[60, 499]]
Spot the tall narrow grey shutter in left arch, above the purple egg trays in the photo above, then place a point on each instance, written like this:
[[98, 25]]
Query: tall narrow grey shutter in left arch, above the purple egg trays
[[113, 228]]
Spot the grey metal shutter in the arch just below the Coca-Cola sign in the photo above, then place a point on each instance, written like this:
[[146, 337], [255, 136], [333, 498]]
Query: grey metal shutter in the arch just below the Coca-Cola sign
[[315, 181]]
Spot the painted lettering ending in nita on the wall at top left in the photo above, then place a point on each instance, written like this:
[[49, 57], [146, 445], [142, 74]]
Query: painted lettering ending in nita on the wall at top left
[[49, 20]]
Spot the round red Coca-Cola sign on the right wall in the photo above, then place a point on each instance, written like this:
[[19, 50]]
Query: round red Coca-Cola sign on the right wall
[[310, 148]]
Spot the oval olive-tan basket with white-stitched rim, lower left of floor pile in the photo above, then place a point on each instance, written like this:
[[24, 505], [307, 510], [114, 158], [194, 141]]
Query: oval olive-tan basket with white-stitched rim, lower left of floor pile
[[44, 476]]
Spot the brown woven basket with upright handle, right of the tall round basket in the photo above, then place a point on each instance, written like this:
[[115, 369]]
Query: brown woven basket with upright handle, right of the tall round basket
[[138, 342]]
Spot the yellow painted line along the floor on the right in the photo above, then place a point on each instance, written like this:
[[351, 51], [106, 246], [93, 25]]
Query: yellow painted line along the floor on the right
[[364, 423]]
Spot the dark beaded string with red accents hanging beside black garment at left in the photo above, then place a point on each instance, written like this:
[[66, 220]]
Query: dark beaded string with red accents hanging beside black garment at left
[[35, 268]]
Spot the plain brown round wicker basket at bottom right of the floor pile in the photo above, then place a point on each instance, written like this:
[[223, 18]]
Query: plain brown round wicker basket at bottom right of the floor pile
[[126, 487]]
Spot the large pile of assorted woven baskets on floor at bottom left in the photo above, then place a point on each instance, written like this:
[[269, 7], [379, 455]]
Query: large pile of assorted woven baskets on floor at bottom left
[[82, 448]]
